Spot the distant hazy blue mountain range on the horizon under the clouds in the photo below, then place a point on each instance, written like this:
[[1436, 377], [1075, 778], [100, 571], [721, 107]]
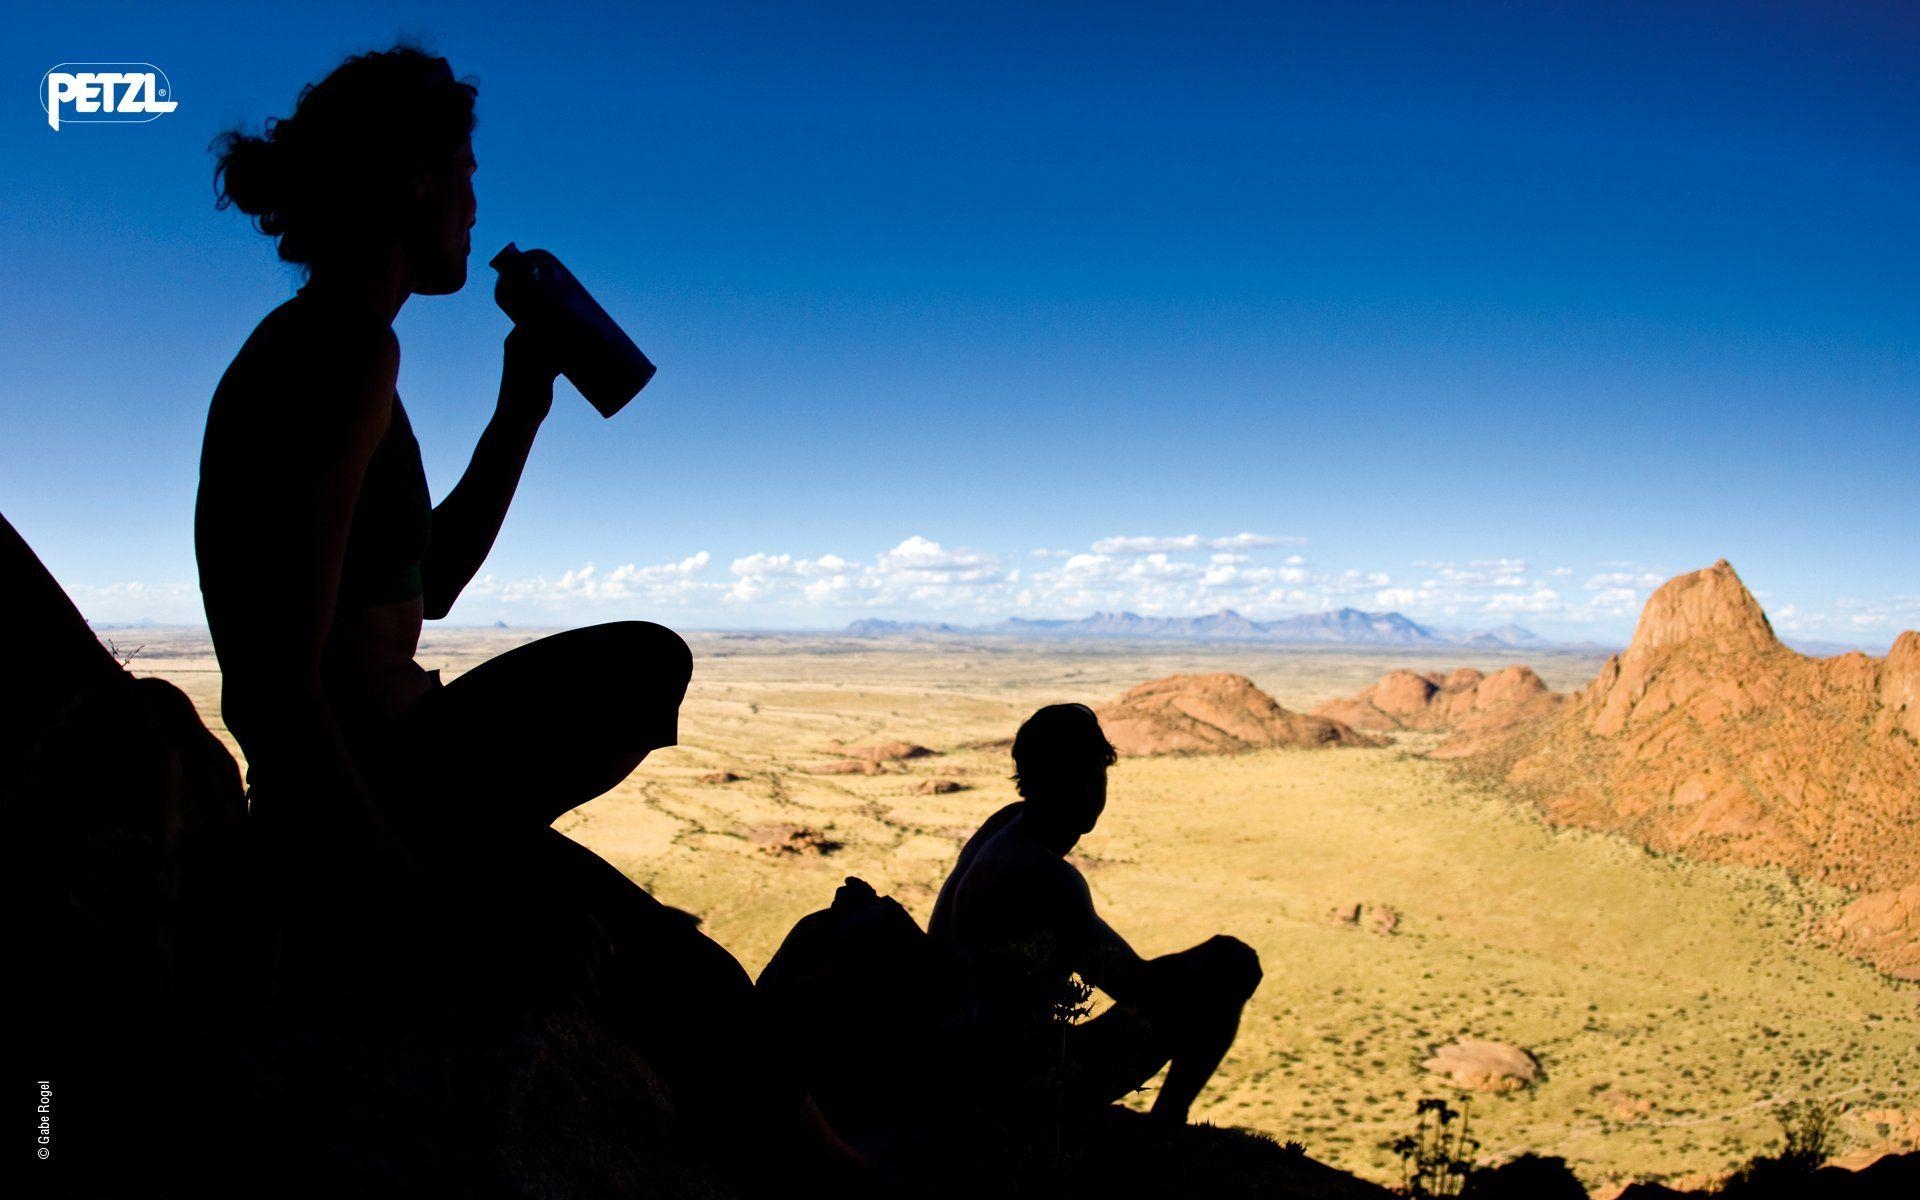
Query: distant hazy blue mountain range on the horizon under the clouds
[[1343, 627]]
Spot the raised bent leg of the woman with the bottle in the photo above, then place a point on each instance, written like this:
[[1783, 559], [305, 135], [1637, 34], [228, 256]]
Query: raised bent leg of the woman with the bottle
[[542, 729]]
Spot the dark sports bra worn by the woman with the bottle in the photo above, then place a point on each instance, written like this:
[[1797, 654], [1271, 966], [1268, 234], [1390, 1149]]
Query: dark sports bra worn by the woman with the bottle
[[393, 523]]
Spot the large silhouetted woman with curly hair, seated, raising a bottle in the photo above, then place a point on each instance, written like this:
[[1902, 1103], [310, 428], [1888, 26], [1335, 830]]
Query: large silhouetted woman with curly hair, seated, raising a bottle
[[320, 548]]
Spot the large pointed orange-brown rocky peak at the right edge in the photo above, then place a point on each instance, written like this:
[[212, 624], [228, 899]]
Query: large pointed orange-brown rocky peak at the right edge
[[1714, 740]]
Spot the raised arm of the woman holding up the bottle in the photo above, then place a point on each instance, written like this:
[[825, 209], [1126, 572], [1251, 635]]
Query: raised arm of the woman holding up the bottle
[[471, 516]]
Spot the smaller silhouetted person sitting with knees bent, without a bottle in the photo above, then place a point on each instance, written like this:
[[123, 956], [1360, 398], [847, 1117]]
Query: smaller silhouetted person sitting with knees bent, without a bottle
[[1024, 924]]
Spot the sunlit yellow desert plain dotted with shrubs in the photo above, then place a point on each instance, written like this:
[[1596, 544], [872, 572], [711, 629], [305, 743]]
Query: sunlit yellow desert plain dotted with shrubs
[[1671, 1005]]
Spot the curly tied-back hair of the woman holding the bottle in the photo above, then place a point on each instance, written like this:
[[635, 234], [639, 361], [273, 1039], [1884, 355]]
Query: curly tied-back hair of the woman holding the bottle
[[341, 168]]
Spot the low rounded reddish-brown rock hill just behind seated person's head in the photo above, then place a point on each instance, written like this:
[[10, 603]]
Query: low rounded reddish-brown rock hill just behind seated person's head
[[1214, 715]]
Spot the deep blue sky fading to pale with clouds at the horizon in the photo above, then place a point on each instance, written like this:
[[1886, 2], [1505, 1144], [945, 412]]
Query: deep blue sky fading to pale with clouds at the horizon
[[1479, 312]]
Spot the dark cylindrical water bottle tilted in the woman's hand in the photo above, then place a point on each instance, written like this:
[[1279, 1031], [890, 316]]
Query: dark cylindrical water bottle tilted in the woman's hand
[[594, 352]]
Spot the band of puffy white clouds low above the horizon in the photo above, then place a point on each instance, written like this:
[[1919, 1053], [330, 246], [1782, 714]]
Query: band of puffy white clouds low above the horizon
[[1188, 575]]
